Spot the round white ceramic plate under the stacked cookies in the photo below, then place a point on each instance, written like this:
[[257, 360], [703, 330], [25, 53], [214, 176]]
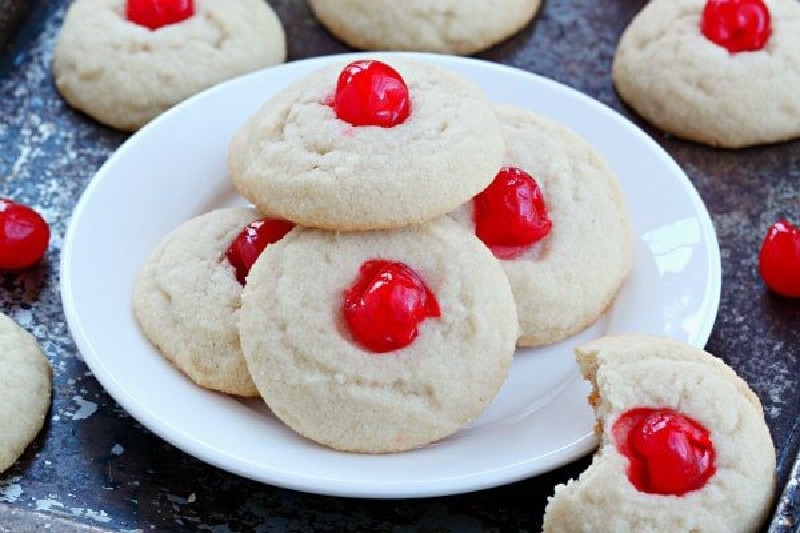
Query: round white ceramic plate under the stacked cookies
[[175, 168]]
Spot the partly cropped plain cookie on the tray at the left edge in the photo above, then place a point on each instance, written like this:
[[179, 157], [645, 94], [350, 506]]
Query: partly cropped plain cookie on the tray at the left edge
[[25, 383]]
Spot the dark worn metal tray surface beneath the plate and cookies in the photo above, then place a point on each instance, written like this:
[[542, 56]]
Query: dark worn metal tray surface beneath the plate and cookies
[[94, 468]]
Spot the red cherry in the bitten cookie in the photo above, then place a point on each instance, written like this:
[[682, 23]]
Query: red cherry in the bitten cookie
[[669, 453]]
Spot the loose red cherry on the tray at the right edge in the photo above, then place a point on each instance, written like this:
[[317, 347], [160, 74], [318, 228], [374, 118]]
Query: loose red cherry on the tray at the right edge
[[779, 260]]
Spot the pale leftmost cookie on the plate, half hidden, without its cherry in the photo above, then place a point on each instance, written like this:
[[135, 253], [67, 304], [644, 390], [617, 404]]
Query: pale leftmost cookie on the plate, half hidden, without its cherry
[[186, 298]]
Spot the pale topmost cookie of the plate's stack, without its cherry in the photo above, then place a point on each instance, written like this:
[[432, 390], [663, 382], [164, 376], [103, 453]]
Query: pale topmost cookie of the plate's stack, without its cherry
[[295, 159]]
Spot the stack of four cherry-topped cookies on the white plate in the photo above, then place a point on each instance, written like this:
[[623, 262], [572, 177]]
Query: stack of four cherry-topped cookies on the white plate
[[372, 321]]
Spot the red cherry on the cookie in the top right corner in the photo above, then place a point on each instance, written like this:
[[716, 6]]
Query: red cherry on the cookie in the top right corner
[[737, 25]]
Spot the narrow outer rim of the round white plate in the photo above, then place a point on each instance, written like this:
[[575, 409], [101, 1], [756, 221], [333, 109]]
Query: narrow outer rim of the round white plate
[[359, 488]]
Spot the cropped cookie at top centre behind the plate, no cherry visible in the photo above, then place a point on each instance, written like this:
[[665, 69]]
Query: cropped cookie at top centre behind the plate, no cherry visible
[[450, 26]]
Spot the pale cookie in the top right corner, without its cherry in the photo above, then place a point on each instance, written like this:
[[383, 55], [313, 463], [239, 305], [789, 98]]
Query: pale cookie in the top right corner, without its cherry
[[675, 77]]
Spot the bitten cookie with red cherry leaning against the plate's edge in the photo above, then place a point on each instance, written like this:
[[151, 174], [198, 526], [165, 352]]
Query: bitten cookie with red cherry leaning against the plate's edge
[[684, 445]]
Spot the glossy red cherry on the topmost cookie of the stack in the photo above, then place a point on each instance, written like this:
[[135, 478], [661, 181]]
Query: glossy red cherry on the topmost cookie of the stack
[[371, 93]]
